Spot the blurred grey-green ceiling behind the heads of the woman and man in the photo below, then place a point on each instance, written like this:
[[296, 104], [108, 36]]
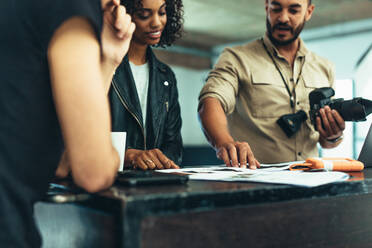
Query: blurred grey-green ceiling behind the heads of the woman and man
[[213, 22]]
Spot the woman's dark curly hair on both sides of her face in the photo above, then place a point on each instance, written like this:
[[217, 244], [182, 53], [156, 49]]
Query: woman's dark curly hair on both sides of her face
[[173, 29]]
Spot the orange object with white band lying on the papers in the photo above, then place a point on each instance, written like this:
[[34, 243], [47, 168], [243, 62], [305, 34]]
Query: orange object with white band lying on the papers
[[329, 164]]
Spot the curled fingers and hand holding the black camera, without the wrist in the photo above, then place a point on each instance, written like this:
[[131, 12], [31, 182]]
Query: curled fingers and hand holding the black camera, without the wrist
[[330, 123]]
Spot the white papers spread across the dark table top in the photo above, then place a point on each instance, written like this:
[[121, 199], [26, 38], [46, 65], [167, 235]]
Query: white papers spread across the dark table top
[[277, 174]]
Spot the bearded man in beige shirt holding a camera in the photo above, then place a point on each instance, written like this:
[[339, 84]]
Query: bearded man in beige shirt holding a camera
[[254, 85]]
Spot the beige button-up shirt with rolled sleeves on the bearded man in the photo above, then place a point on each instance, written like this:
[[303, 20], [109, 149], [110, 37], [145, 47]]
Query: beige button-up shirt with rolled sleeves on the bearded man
[[254, 97]]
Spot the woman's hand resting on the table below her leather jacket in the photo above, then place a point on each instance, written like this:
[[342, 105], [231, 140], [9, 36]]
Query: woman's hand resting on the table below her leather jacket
[[149, 160]]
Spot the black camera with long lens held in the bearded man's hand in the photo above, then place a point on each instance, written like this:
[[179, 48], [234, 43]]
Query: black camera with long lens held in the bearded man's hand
[[356, 109]]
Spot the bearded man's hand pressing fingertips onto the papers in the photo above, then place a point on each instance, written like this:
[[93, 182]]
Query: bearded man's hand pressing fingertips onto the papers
[[237, 154]]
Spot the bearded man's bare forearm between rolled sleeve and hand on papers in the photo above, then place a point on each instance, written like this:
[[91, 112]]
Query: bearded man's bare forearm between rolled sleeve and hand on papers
[[214, 122]]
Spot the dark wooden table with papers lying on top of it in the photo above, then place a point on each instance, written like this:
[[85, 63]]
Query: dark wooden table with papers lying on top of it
[[214, 214]]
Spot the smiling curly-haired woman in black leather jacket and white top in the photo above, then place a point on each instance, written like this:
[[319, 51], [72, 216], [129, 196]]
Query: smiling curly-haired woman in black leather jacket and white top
[[143, 94]]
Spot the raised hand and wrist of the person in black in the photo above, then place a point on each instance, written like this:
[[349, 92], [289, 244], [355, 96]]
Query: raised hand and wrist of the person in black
[[116, 32]]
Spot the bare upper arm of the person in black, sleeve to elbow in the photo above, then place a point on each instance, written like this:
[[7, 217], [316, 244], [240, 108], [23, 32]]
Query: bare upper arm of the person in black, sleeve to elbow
[[81, 102]]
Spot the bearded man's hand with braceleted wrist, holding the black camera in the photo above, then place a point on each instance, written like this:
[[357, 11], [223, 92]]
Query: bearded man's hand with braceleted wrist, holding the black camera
[[330, 125]]
